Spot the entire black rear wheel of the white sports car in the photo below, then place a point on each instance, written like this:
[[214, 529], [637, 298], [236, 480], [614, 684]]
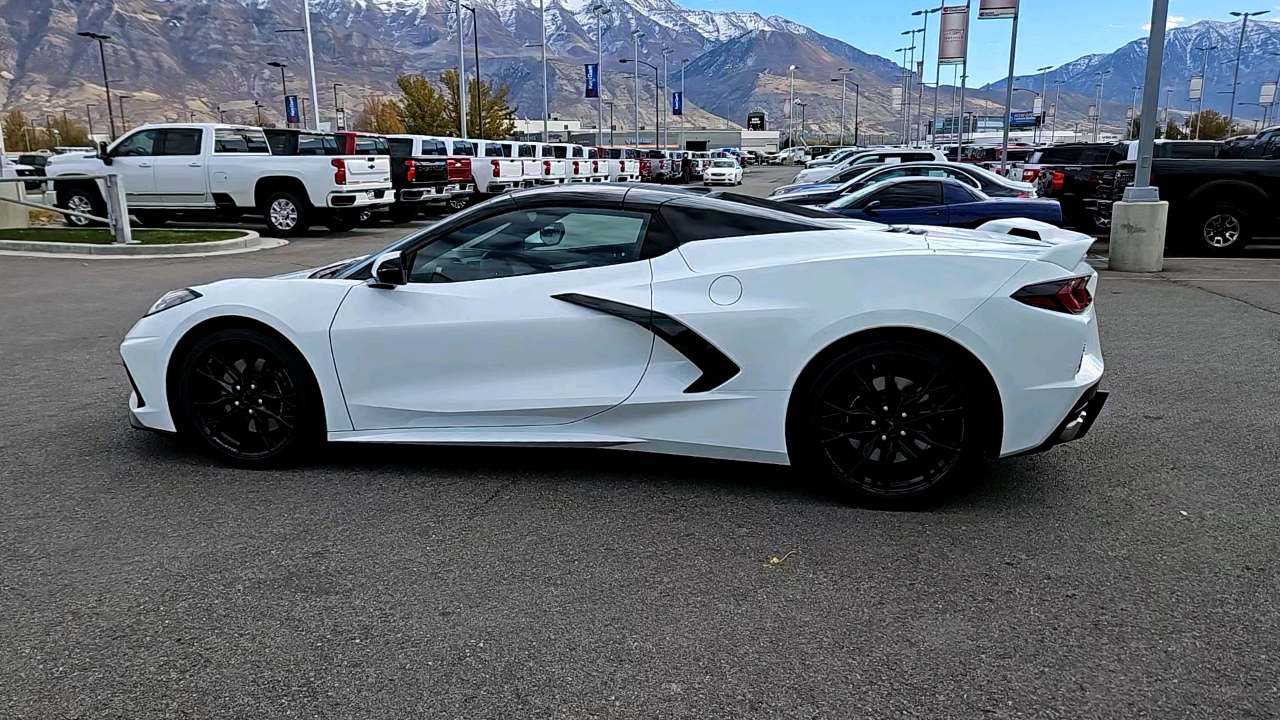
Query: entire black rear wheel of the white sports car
[[907, 457]]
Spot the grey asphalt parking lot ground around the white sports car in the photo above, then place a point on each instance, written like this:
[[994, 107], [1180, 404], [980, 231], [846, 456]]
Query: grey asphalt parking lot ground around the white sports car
[[1131, 575]]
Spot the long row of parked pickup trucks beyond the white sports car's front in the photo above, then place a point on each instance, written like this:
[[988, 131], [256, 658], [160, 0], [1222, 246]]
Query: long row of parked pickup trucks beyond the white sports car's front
[[295, 179]]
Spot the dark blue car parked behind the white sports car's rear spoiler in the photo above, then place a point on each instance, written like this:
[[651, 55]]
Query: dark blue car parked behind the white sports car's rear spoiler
[[939, 202]]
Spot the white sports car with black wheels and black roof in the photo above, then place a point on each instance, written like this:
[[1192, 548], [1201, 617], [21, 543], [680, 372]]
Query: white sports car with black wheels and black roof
[[656, 320]]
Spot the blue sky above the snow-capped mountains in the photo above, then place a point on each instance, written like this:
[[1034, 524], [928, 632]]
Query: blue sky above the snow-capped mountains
[[1050, 33]]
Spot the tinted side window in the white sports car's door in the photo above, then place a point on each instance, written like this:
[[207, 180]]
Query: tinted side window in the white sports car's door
[[525, 243]]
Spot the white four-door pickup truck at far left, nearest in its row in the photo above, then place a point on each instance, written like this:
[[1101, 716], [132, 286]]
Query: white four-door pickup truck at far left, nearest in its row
[[213, 168]]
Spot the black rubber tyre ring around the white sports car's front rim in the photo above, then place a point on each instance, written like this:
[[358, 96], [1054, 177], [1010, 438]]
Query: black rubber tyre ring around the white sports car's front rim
[[309, 430]]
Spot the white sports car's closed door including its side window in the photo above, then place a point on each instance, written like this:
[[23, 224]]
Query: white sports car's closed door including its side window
[[495, 327]]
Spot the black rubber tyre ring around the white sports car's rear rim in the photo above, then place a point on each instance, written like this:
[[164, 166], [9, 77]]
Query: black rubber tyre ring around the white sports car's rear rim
[[807, 454]]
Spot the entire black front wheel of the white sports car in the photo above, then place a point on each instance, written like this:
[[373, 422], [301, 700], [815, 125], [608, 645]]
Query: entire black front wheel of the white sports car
[[248, 399]]
